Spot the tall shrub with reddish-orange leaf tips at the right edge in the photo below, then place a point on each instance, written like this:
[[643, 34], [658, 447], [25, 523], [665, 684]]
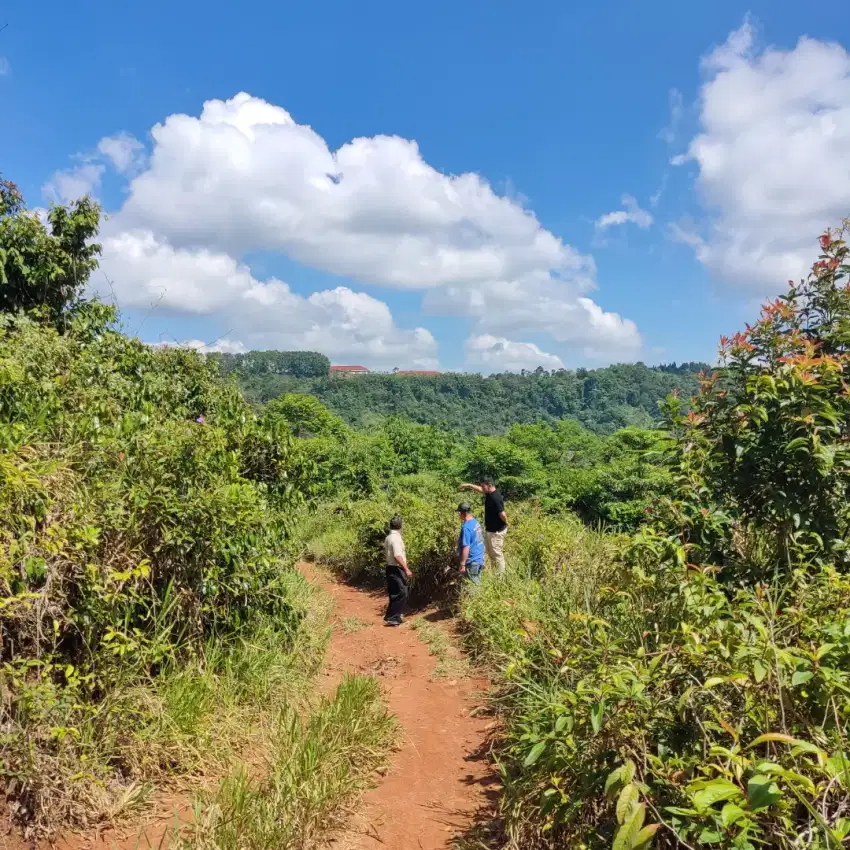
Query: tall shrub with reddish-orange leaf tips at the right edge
[[766, 443]]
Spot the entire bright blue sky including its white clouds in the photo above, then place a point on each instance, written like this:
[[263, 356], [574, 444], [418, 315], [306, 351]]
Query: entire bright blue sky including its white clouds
[[489, 243]]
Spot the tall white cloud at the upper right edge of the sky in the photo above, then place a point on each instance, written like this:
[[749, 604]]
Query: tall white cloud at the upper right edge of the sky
[[773, 156]]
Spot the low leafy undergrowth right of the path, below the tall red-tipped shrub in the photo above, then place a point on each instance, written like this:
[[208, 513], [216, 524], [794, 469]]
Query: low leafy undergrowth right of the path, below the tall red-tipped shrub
[[680, 680]]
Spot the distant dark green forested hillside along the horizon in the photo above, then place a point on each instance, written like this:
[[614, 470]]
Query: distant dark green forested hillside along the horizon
[[603, 400]]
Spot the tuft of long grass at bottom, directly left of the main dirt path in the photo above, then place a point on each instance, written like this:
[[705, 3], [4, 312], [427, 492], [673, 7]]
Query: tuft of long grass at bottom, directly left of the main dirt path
[[316, 768]]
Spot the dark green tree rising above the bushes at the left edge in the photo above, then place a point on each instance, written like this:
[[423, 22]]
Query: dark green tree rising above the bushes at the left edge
[[40, 267]]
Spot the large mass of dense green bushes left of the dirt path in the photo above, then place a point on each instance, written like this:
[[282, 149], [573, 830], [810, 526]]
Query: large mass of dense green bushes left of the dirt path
[[142, 508]]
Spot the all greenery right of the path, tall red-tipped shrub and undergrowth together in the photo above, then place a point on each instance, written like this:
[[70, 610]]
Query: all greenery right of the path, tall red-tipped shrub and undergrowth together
[[694, 690]]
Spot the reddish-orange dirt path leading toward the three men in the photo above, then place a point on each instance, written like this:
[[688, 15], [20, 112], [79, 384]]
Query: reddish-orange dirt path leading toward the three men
[[440, 778]]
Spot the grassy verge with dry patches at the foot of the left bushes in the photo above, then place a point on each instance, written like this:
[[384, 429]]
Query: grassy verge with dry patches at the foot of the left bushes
[[170, 729]]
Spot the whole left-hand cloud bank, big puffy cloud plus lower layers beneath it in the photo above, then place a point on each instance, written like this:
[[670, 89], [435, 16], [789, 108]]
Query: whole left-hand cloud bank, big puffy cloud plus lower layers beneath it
[[244, 176]]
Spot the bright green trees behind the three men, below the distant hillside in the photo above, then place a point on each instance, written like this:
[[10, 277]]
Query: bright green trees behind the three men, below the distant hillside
[[611, 481]]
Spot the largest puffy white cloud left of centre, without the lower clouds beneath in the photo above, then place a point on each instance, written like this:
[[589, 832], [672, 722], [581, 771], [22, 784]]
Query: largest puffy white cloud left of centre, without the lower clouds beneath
[[245, 176]]
